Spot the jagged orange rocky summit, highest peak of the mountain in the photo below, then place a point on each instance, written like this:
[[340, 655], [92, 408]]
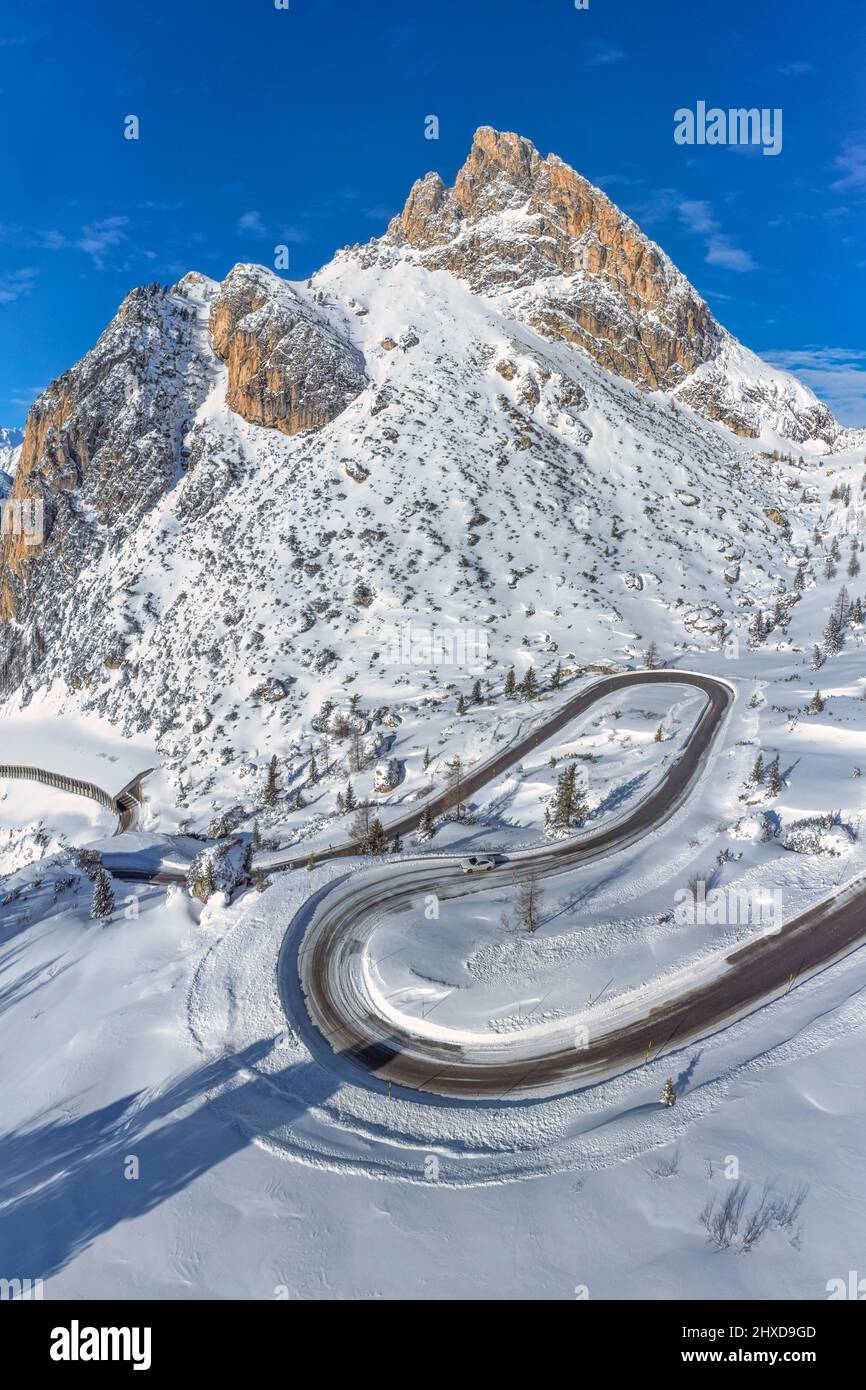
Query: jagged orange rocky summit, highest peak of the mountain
[[555, 252]]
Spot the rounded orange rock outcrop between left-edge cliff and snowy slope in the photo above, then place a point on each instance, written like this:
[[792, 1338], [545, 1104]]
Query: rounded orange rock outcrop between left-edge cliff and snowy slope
[[288, 369]]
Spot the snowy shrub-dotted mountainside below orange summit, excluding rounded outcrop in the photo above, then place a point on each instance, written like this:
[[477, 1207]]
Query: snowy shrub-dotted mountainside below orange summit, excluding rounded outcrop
[[484, 479]]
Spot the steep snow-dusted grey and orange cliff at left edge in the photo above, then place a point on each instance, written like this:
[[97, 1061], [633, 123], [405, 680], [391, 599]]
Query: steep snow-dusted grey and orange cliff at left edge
[[102, 445]]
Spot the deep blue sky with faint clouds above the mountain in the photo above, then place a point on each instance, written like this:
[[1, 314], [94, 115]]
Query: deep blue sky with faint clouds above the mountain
[[307, 127]]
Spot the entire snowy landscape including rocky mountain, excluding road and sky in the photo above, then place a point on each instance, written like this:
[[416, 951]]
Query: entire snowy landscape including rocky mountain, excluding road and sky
[[270, 509]]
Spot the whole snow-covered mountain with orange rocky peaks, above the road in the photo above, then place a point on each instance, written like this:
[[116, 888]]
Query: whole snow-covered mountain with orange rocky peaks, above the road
[[254, 489]]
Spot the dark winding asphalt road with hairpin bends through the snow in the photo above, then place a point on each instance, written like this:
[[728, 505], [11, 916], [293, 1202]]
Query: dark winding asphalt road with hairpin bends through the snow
[[327, 978]]
